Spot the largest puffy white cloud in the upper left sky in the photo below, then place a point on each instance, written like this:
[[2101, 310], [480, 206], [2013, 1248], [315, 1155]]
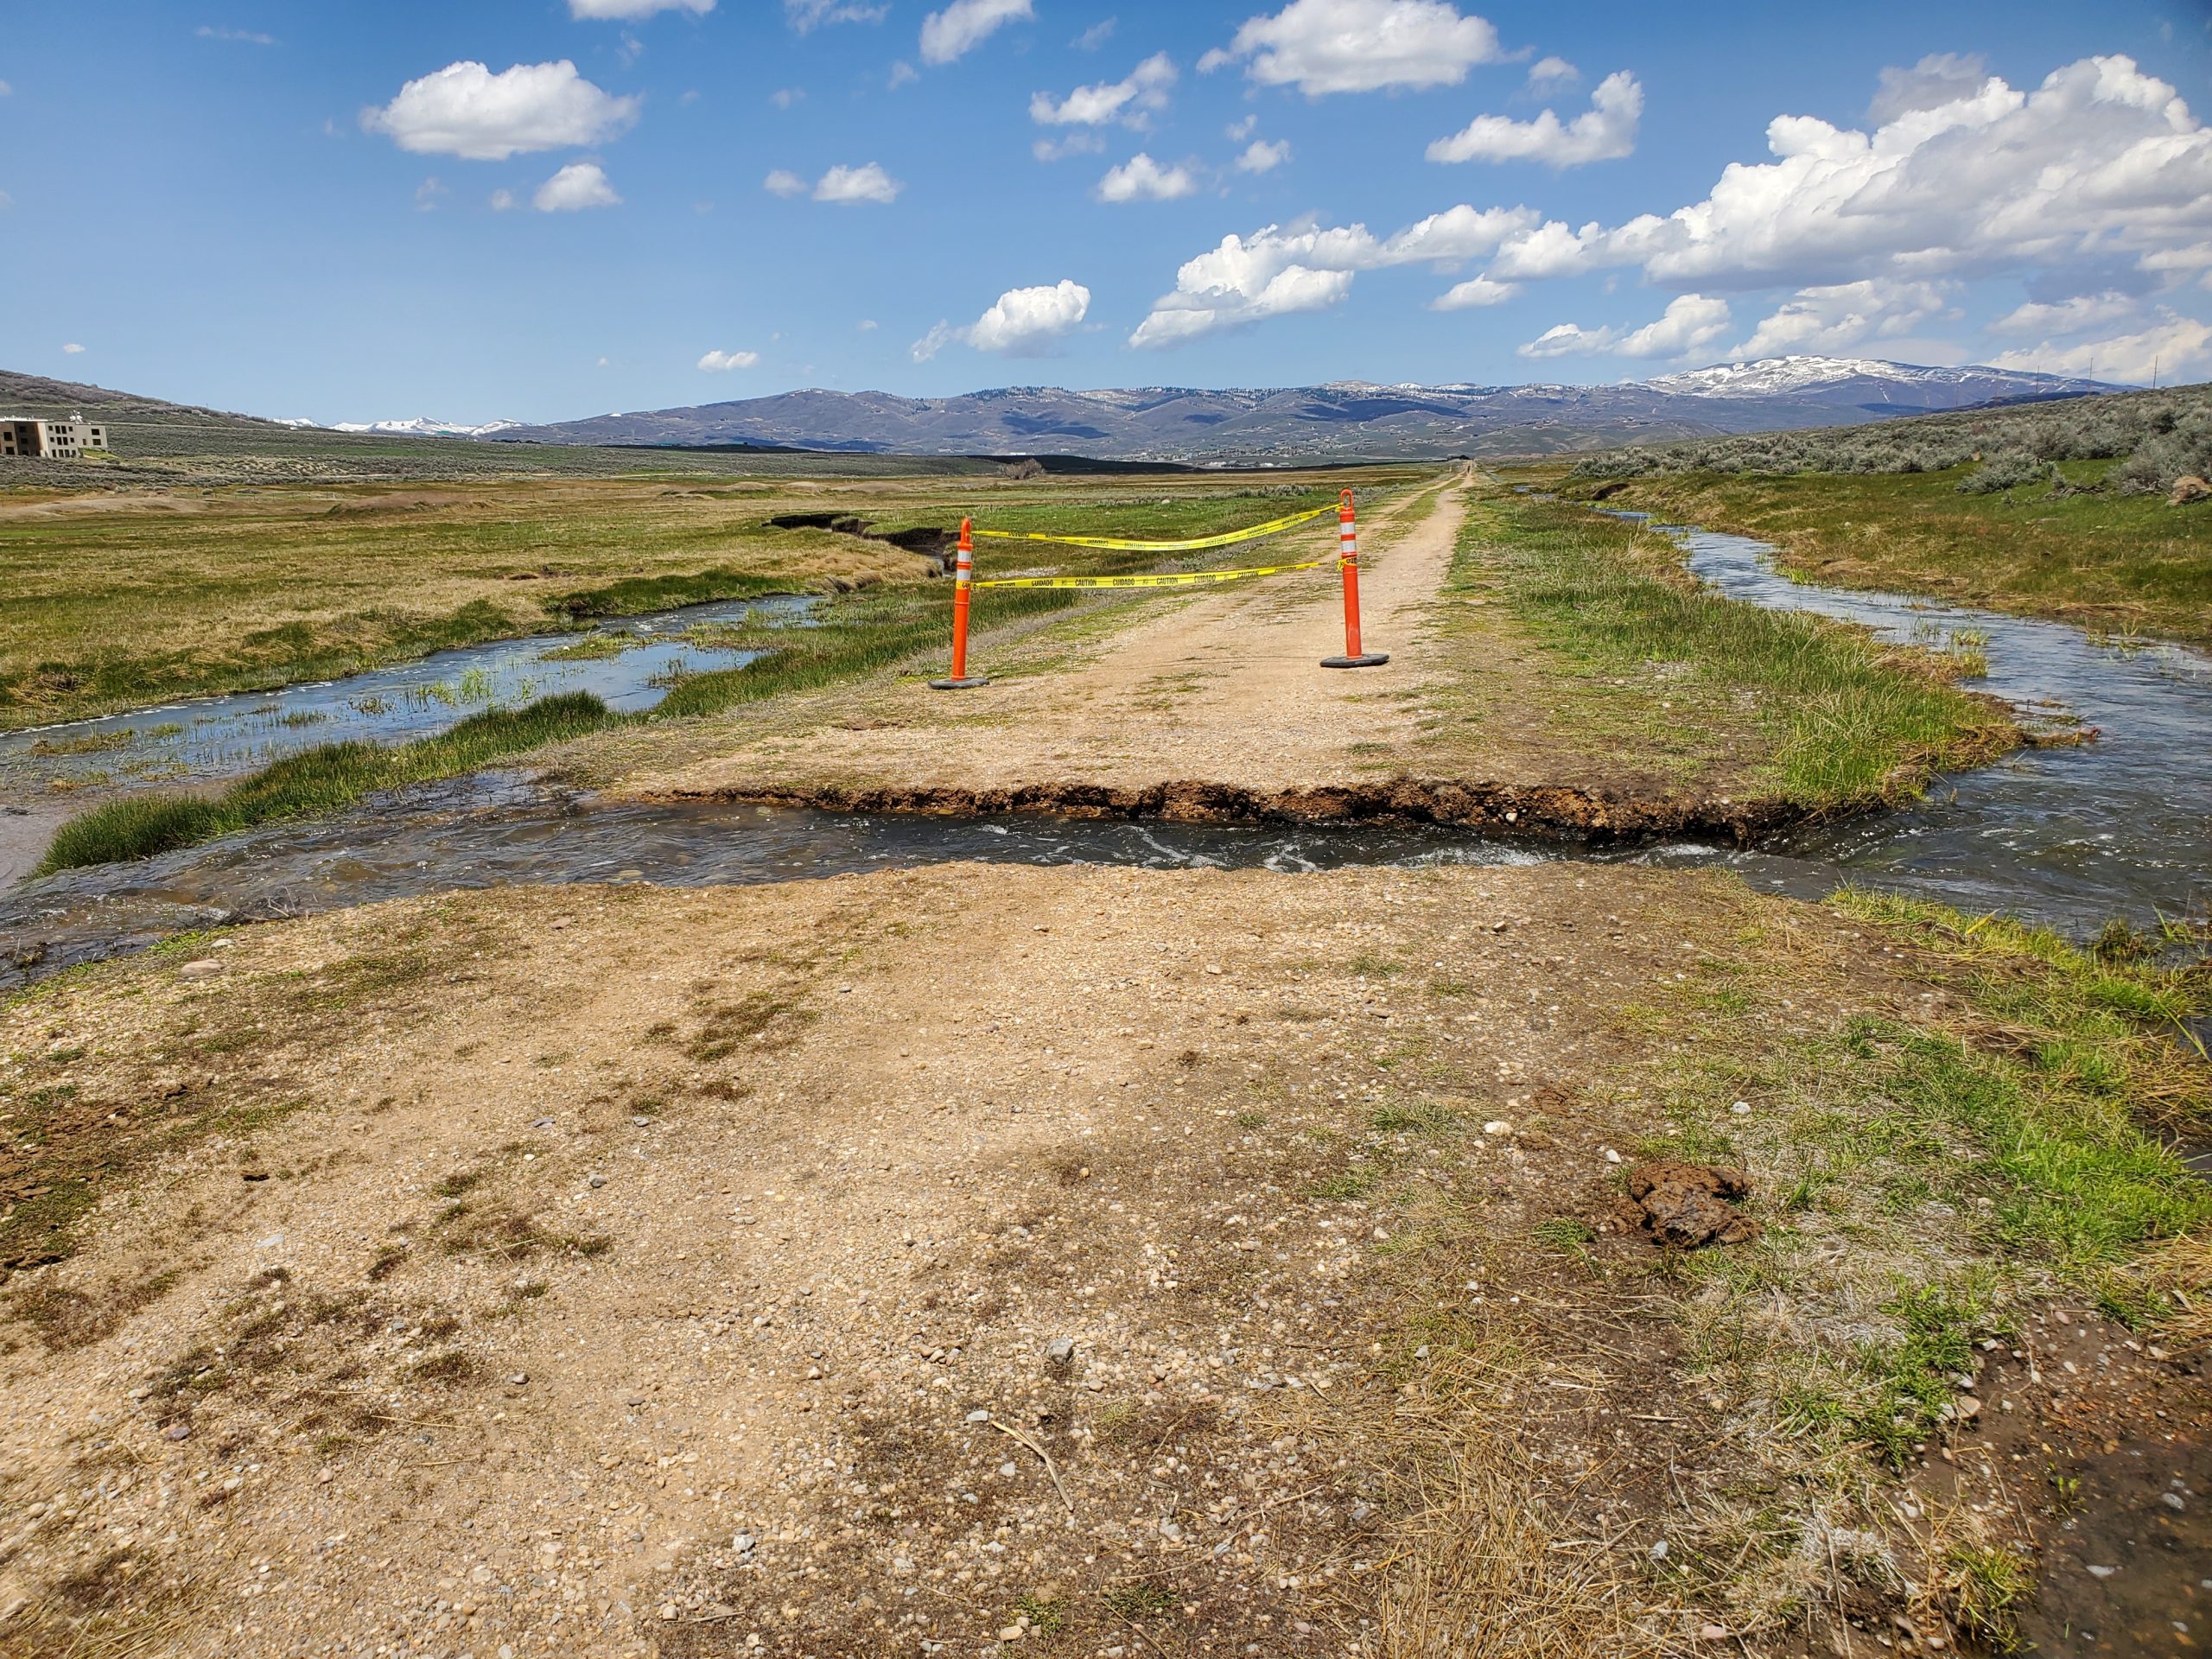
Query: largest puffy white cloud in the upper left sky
[[468, 112]]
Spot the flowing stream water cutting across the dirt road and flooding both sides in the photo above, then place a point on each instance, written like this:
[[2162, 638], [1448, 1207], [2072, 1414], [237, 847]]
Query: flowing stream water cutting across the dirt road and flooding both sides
[[2072, 837]]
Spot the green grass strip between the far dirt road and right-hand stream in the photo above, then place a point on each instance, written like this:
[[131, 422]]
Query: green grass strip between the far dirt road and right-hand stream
[[1830, 718]]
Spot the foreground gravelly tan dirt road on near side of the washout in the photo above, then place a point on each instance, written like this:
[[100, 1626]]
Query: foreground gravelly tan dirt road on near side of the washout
[[1083, 1262]]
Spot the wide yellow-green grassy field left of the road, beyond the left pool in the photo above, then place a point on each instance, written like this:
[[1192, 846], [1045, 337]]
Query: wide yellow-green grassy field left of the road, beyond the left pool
[[136, 598]]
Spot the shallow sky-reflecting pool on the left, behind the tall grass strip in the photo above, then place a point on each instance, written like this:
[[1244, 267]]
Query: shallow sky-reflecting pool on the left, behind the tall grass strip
[[222, 738]]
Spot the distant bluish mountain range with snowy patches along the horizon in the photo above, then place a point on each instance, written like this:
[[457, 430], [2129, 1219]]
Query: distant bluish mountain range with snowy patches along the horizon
[[1342, 421]]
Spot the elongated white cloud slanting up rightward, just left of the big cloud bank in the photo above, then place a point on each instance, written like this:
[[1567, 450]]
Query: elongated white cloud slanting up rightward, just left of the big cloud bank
[[1280, 271]]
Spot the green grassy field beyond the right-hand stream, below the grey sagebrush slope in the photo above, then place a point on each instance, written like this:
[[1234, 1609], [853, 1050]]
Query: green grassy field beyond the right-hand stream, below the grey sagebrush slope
[[2127, 565]]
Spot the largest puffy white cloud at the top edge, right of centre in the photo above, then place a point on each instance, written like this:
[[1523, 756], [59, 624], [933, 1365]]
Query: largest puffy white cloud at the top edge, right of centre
[[1361, 45]]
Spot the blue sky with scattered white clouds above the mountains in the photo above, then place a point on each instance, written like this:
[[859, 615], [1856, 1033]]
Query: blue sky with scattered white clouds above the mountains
[[550, 209]]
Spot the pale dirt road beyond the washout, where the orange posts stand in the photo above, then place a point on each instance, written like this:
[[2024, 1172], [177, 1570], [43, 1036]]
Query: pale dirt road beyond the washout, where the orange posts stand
[[1224, 689]]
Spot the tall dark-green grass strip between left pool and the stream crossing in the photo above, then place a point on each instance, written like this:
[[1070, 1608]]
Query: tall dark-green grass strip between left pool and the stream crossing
[[322, 780]]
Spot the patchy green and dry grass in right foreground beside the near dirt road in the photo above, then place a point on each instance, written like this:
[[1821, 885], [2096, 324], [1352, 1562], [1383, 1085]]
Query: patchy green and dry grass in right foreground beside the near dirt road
[[1943, 1171]]
